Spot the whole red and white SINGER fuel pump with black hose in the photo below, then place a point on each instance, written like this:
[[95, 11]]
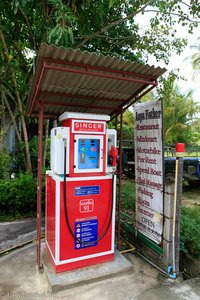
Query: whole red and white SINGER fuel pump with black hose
[[80, 192]]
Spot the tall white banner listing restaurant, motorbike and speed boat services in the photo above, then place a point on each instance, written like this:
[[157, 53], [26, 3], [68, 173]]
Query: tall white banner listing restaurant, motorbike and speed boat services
[[149, 169]]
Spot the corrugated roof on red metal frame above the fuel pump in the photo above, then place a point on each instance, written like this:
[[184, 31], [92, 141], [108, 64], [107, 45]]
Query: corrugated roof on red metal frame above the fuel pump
[[71, 80]]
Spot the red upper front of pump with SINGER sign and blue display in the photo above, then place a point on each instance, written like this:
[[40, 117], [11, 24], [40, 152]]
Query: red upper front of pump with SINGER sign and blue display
[[87, 148]]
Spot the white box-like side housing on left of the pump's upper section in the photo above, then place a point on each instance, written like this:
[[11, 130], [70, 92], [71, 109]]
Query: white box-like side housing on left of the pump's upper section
[[58, 134]]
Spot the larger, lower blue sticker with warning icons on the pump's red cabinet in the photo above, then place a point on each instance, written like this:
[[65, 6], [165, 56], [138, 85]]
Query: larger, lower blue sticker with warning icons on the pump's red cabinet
[[86, 234]]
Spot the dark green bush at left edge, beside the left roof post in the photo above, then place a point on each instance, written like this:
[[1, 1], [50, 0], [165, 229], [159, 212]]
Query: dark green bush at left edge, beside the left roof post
[[18, 196]]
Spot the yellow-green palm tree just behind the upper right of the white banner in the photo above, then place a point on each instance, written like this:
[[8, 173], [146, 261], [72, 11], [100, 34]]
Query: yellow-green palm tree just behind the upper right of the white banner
[[179, 111]]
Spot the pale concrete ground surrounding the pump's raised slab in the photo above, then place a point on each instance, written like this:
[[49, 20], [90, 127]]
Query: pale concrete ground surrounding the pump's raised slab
[[20, 279]]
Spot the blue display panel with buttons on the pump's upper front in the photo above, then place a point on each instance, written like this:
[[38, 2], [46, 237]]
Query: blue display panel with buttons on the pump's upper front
[[88, 153]]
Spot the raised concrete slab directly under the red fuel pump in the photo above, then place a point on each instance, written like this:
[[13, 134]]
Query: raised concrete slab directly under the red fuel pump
[[78, 277]]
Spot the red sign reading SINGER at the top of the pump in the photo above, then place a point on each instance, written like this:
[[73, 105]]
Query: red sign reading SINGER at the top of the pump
[[88, 126]]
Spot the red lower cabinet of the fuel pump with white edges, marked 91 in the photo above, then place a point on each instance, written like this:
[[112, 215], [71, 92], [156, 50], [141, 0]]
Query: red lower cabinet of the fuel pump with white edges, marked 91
[[91, 215]]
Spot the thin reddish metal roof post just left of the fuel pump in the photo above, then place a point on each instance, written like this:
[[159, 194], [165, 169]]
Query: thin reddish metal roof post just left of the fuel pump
[[39, 186]]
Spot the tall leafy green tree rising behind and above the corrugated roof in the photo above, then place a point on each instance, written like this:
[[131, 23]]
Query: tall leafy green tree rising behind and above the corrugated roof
[[108, 27]]
